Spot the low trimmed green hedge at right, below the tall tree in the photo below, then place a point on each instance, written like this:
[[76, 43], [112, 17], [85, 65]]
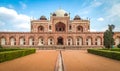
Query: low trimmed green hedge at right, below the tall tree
[[106, 53]]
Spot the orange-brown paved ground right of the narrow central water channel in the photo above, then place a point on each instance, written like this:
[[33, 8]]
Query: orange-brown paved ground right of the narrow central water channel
[[79, 60]]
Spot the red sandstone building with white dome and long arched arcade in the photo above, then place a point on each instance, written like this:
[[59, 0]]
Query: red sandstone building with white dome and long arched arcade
[[59, 30]]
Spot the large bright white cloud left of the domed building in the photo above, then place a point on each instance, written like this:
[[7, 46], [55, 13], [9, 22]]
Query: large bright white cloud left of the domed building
[[11, 18]]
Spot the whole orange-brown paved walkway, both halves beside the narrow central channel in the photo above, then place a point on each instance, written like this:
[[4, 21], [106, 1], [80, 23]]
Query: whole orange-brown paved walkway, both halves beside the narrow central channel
[[74, 60]]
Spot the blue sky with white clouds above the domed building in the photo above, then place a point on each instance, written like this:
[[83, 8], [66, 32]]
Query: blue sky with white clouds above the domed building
[[15, 15]]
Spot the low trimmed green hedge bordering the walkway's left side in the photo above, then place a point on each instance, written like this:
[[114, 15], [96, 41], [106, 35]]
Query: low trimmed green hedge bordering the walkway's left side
[[9, 55]]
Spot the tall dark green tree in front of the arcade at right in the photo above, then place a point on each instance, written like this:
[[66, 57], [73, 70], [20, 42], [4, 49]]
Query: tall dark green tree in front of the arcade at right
[[108, 37]]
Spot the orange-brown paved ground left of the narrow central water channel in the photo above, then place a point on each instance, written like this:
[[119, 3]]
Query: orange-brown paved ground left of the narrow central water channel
[[43, 60]]
